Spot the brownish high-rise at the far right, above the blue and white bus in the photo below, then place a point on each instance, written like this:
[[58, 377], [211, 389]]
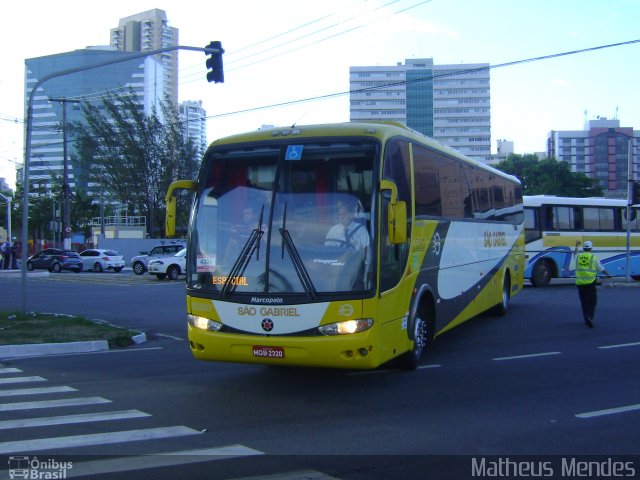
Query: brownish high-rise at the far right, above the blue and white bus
[[600, 151]]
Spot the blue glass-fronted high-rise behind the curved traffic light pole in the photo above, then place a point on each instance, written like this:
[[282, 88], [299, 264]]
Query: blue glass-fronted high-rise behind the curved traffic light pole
[[46, 162]]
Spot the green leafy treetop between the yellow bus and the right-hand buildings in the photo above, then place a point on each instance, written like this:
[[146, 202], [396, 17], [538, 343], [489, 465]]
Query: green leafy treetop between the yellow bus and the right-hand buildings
[[549, 177]]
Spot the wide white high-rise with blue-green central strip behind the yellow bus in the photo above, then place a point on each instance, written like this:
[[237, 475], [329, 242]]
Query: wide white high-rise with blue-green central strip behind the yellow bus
[[450, 103]]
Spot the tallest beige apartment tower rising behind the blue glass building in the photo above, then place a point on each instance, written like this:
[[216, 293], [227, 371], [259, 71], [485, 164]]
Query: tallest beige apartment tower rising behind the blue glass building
[[147, 31]]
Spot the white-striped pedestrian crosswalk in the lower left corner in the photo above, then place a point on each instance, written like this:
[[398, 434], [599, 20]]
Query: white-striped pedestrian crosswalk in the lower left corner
[[24, 433]]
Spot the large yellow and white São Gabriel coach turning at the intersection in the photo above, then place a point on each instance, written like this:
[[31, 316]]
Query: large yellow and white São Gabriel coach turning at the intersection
[[343, 245]]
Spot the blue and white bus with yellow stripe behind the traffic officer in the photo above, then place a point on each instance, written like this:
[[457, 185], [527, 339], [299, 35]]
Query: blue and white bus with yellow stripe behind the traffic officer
[[555, 225]]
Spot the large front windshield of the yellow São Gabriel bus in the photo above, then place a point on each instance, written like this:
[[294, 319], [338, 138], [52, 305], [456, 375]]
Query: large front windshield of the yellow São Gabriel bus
[[284, 218]]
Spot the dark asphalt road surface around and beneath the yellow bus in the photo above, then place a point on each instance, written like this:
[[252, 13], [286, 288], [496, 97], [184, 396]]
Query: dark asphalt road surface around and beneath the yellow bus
[[533, 386]]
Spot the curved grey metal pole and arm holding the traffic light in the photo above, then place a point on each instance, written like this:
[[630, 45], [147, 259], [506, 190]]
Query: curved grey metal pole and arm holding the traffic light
[[27, 151]]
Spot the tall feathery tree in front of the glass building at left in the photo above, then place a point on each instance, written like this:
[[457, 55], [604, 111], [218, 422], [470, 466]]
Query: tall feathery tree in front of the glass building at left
[[133, 156]]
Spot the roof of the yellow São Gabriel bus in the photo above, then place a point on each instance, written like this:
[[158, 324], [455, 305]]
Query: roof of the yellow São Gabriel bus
[[382, 130]]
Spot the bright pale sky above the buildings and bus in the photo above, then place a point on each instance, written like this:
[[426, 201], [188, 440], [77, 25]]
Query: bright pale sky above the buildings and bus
[[280, 51]]
